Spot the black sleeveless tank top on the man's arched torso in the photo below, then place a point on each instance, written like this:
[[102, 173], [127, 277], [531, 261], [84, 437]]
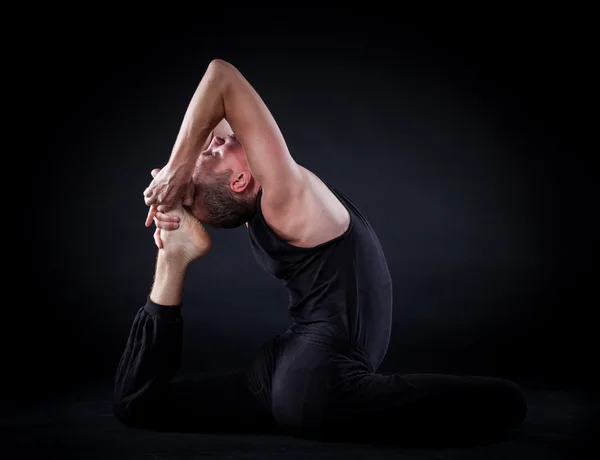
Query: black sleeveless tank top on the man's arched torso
[[340, 290]]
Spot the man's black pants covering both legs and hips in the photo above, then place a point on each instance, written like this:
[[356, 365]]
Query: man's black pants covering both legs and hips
[[301, 385]]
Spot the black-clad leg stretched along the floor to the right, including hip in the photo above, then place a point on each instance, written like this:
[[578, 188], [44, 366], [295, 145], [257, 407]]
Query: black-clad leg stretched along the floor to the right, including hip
[[320, 393]]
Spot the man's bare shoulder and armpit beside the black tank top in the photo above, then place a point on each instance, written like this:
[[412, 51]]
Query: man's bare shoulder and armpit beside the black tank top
[[306, 212]]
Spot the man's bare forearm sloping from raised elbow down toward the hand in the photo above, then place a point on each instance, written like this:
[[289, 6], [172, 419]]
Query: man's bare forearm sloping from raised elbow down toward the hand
[[205, 112]]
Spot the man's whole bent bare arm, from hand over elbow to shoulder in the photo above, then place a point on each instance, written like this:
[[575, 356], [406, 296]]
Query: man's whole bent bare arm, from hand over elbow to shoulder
[[224, 93]]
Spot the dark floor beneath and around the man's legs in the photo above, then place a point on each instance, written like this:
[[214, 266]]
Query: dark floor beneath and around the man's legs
[[559, 425]]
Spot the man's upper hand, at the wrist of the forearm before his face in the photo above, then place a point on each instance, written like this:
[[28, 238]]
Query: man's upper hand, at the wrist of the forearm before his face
[[169, 186]]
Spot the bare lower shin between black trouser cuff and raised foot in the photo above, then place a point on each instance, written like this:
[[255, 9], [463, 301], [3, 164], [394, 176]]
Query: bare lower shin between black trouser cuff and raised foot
[[169, 278]]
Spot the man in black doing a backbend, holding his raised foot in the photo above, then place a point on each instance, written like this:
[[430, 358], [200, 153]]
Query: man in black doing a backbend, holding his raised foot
[[319, 377]]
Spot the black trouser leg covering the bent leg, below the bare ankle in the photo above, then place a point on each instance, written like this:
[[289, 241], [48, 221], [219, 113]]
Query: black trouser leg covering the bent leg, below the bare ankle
[[146, 397]]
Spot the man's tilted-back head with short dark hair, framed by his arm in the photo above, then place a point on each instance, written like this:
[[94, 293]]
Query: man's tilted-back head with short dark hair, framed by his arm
[[226, 192]]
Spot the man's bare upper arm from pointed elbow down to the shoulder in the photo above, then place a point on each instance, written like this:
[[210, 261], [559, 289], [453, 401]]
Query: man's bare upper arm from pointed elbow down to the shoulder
[[253, 124]]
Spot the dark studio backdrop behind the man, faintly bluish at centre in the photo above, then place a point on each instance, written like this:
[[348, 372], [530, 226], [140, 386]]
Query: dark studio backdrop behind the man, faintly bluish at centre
[[462, 142]]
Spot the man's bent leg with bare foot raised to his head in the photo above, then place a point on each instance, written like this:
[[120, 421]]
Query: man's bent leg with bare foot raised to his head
[[145, 394]]
